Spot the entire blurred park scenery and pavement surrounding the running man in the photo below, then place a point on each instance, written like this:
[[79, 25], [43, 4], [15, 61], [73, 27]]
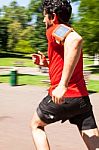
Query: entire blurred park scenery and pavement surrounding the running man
[[22, 33]]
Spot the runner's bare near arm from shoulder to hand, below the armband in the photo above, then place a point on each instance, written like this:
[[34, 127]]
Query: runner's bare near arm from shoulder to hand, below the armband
[[72, 51]]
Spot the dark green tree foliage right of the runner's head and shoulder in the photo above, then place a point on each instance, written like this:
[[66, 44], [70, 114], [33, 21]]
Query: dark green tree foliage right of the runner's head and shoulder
[[88, 25]]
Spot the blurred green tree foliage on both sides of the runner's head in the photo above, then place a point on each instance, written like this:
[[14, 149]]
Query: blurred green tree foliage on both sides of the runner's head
[[17, 33]]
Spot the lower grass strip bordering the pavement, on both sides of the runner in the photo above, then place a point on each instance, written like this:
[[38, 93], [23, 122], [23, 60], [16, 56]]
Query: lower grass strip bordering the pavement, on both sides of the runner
[[93, 85]]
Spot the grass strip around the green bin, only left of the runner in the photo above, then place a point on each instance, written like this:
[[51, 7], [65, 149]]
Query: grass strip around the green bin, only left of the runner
[[25, 79]]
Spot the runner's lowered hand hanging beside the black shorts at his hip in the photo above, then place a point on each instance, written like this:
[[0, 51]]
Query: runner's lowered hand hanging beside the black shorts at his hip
[[58, 94]]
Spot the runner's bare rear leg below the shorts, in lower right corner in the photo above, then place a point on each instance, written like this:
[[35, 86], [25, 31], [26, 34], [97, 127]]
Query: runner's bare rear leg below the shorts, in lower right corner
[[91, 138]]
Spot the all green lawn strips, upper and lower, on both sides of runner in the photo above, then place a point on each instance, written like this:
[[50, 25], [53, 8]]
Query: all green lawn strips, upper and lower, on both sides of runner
[[37, 80]]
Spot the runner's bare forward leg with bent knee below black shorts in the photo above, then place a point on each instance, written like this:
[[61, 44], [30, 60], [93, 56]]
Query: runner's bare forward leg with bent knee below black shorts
[[38, 133]]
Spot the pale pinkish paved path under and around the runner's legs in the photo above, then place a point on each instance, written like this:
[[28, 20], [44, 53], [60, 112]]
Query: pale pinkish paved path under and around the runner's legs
[[16, 108]]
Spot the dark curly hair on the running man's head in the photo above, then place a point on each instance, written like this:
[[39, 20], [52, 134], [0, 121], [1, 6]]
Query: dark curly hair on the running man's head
[[62, 8]]
